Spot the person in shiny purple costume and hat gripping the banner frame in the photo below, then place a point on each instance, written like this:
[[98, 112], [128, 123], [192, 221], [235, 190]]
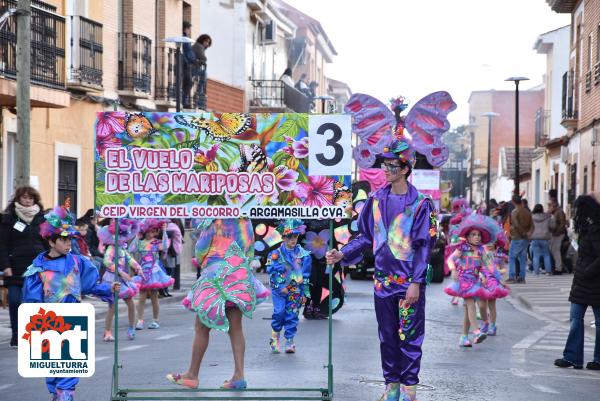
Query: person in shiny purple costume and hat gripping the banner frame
[[399, 223]]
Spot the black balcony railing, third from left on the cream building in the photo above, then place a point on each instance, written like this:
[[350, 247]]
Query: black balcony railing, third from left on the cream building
[[135, 60]]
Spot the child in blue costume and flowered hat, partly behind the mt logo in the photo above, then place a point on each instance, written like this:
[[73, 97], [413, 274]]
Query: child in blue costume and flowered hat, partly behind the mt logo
[[59, 276]]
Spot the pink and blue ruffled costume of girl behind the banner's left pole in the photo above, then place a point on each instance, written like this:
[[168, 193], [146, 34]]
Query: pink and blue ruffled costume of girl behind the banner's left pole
[[128, 229]]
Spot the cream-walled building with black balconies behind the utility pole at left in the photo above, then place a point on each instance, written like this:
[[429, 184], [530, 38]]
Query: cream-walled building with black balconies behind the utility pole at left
[[86, 57]]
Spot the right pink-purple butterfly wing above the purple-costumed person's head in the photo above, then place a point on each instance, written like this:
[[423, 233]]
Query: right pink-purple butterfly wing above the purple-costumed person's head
[[426, 122]]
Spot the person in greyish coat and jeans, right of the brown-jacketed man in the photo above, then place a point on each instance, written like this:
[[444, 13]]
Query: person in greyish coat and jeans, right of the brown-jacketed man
[[543, 224]]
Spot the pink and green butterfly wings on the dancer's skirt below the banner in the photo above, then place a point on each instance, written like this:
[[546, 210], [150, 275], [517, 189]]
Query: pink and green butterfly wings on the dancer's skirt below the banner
[[229, 284]]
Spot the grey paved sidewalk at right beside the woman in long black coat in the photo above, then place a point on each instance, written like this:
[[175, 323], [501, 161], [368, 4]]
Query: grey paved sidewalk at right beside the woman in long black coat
[[548, 296]]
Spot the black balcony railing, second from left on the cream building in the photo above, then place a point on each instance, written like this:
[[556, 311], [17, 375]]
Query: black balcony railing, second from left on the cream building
[[86, 52]]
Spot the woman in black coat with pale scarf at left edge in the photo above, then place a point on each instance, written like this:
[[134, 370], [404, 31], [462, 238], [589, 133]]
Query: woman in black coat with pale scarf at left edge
[[20, 243]]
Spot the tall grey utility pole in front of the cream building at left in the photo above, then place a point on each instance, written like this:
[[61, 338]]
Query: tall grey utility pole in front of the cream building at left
[[23, 86]]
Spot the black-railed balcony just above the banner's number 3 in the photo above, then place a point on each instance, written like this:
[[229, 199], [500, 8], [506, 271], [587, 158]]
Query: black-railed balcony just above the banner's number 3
[[273, 96]]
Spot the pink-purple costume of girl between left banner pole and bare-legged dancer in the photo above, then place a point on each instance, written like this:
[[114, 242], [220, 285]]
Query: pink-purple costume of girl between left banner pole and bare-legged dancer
[[148, 251]]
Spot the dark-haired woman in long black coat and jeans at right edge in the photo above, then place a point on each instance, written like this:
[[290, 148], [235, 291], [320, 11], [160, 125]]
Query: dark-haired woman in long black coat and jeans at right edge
[[585, 290]]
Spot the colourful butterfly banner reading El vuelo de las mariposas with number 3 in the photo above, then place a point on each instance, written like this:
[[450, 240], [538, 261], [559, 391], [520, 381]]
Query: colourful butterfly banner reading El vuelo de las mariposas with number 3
[[203, 165]]
